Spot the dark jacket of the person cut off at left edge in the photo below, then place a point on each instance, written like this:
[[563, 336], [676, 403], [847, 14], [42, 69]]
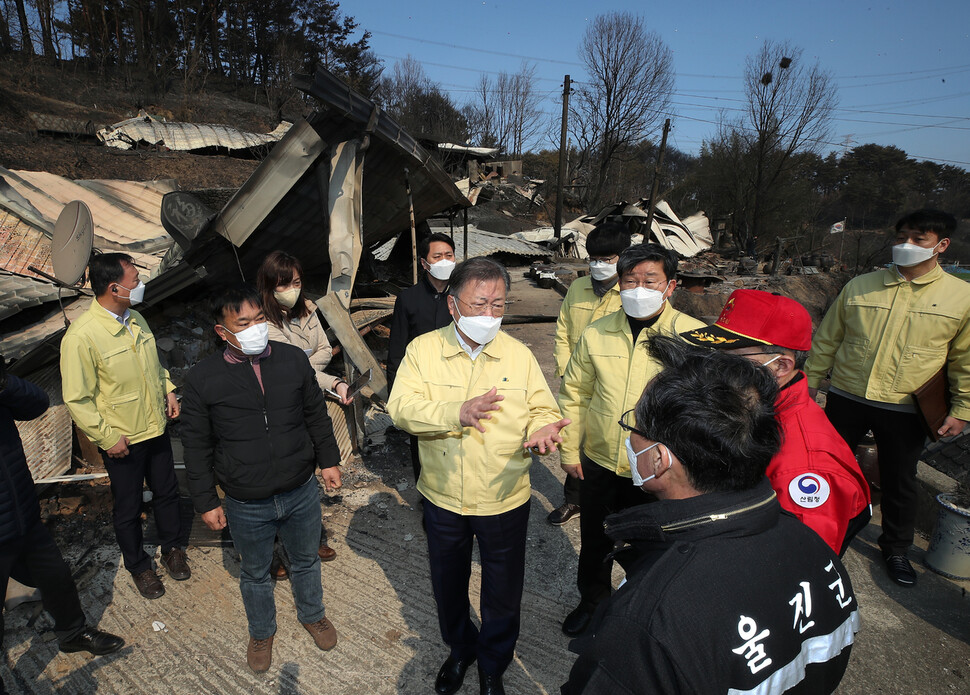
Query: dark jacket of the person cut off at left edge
[[19, 510]]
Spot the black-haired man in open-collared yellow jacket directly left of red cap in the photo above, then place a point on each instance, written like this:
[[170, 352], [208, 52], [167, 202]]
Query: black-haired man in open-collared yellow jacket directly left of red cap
[[604, 379]]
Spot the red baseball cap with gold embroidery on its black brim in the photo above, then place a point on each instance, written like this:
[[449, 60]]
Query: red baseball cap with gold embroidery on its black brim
[[751, 318]]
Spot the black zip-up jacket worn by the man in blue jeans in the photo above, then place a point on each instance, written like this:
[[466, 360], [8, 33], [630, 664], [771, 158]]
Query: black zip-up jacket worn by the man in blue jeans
[[254, 445]]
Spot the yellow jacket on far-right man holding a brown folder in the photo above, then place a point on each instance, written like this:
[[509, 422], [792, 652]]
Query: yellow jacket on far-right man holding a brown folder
[[886, 336]]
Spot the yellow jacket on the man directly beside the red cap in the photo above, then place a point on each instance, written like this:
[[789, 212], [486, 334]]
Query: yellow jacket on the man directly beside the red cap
[[605, 377]]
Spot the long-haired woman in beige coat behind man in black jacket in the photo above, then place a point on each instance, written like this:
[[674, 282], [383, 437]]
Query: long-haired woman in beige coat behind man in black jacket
[[293, 319]]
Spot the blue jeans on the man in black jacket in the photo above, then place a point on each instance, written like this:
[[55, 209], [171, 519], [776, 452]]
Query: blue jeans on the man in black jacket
[[254, 524]]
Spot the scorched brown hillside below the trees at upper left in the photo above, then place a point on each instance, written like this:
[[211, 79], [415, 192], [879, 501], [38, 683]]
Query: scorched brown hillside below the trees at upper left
[[69, 90]]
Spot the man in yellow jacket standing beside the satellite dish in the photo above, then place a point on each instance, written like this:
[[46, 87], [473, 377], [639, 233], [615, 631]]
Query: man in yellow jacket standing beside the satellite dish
[[120, 396]]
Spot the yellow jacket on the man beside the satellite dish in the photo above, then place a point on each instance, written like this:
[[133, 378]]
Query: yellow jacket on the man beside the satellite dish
[[113, 383]]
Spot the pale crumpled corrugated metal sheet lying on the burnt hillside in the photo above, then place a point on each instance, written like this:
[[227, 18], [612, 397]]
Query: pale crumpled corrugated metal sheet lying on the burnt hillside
[[145, 129]]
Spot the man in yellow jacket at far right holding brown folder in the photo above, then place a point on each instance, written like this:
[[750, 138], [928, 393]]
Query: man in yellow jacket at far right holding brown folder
[[886, 334]]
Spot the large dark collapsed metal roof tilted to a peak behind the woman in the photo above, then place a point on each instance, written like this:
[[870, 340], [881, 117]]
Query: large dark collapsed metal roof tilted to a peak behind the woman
[[284, 203]]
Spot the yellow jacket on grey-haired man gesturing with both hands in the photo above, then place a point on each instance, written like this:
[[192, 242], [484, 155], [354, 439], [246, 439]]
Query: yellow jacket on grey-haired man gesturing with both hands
[[463, 470]]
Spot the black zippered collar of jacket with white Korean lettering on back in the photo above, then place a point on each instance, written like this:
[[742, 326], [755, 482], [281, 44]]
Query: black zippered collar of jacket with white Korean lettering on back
[[713, 514]]
